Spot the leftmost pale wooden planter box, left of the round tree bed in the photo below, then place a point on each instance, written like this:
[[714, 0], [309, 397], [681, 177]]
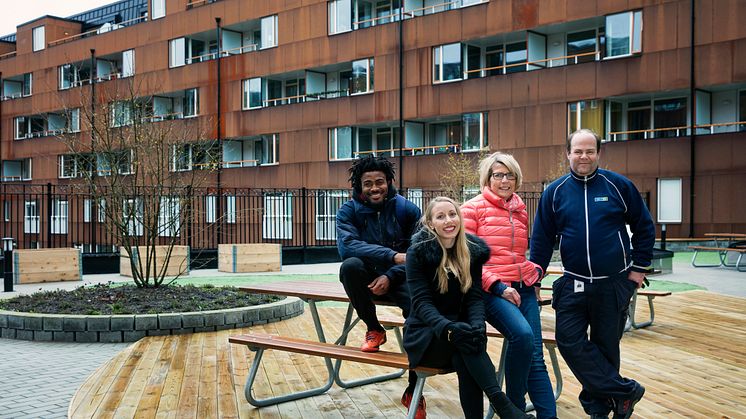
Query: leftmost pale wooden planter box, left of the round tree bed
[[47, 265]]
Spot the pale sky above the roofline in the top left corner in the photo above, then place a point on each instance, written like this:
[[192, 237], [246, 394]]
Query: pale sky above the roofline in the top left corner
[[16, 12]]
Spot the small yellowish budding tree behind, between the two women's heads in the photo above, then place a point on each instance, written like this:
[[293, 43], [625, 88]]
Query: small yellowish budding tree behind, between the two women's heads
[[460, 175]]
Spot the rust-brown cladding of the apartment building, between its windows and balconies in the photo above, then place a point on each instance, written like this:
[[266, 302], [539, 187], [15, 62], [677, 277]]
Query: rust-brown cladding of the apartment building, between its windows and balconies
[[526, 113]]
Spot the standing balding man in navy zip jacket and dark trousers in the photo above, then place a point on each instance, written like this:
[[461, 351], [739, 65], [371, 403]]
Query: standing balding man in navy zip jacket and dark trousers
[[588, 210]]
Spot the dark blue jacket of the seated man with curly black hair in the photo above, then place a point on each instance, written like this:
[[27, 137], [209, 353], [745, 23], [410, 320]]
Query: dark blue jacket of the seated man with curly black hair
[[375, 235]]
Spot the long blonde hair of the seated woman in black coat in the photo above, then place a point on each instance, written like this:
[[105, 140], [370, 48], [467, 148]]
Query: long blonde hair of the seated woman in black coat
[[459, 261]]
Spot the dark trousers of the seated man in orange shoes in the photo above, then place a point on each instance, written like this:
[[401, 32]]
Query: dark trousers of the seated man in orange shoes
[[355, 277]]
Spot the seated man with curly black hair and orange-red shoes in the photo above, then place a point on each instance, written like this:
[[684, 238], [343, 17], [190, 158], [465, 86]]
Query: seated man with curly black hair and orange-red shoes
[[374, 230]]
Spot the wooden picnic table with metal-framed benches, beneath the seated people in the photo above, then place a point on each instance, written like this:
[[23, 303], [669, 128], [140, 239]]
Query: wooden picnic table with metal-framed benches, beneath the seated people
[[316, 291]]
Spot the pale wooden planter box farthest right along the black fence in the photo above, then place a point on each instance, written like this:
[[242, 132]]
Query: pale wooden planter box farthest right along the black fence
[[249, 257]]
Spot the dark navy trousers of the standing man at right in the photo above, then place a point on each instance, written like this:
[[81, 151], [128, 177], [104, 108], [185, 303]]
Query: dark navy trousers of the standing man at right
[[602, 305]]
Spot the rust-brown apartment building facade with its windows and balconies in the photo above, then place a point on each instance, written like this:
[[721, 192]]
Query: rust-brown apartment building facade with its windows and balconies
[[291, 91]]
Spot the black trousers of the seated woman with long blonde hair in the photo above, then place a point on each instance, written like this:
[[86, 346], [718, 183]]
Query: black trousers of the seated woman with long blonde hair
[[476, 374]]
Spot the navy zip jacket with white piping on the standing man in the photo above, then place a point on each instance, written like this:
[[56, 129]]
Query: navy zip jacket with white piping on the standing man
[[589, 214]]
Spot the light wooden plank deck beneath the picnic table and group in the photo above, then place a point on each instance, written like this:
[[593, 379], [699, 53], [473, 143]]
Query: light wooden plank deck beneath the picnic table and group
[[692, 362]]
